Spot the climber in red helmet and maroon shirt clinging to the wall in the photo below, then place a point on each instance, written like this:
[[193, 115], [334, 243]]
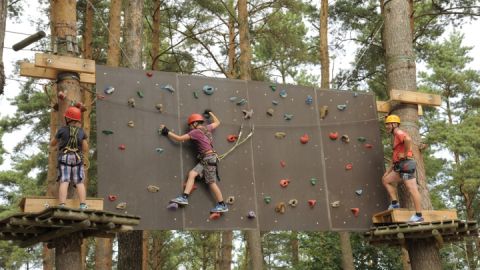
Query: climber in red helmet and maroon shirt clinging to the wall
[[202, 138]]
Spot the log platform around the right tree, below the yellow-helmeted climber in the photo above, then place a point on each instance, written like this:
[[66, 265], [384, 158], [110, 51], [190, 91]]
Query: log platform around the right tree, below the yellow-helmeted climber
[[441, 231]]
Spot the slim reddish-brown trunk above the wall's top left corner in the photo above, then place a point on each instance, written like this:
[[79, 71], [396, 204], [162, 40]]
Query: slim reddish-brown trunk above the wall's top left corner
[[113, 52]]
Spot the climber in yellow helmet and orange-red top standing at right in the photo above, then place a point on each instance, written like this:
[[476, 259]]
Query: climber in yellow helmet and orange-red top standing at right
[[403, 167]]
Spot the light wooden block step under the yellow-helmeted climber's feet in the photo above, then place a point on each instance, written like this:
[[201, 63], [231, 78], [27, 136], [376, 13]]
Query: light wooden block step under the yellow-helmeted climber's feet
[[402, 215]]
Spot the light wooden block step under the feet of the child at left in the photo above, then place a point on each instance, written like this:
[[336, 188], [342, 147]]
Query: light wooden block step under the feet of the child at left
[[34, 204]]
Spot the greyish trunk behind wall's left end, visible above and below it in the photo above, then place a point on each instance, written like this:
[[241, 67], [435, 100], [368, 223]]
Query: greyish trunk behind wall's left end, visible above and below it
[[130, 244]]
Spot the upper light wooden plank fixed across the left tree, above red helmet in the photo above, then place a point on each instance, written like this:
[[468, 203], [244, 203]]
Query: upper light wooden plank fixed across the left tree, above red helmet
[[65, 63]]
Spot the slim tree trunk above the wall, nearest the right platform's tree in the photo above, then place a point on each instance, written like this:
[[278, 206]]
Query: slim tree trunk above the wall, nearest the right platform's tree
[[324, 60]]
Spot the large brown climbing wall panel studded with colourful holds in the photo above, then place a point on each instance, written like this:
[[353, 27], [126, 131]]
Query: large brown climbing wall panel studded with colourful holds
[[313, 160]]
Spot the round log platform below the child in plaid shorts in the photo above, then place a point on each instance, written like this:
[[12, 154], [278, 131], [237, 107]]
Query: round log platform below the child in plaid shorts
[[28, 229]]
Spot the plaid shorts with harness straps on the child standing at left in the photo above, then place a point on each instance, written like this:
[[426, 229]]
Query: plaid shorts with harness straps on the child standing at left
[[70, 169]]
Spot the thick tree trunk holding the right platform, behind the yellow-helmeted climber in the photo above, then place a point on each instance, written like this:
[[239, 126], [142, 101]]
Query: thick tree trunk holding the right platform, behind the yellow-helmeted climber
[[400, 67]]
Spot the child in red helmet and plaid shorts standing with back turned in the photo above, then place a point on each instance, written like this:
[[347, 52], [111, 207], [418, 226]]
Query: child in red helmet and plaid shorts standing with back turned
[[72, 153]]
